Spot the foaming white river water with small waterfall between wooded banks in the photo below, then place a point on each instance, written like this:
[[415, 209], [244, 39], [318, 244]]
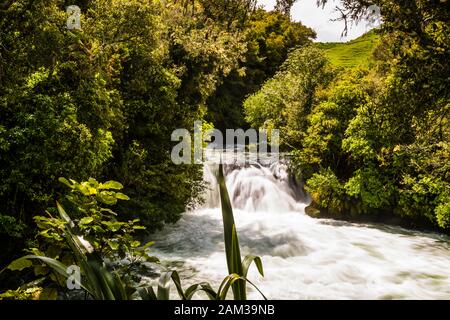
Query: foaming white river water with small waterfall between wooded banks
[[303, 258]]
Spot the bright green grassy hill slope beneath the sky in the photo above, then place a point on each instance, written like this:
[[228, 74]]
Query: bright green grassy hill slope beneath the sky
[[354, 53]]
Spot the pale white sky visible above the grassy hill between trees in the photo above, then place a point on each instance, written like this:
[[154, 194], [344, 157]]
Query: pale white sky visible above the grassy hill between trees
[[307, 12]]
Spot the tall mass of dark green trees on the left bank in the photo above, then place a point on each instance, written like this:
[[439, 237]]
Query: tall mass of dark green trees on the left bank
[[103, 101]]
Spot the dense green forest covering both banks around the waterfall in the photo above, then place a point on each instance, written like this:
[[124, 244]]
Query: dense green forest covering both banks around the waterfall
[[370, 136]]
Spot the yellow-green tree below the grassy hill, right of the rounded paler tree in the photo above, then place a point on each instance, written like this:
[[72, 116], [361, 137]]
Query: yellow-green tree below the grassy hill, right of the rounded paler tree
[[335, 108]]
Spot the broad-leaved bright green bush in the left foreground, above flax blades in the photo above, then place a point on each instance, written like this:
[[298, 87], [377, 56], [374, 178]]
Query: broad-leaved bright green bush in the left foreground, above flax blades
[[110, 235]]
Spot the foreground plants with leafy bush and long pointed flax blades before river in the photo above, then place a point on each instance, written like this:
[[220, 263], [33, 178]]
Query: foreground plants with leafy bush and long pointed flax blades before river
[[71, 236]]
